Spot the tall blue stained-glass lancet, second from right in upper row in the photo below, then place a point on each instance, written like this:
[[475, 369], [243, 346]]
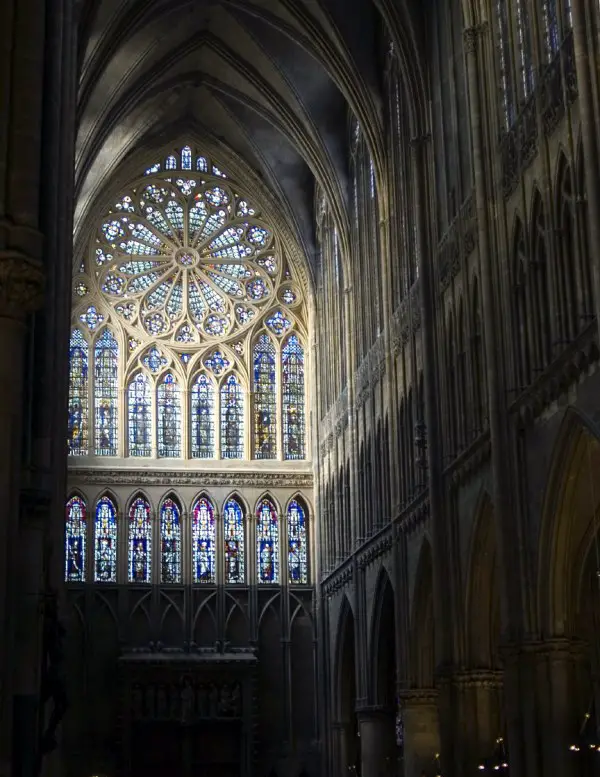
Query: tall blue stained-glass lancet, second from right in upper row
[[265, 402]]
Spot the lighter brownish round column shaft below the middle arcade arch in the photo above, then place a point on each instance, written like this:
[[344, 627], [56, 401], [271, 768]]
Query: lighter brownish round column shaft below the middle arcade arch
[[421, 730]]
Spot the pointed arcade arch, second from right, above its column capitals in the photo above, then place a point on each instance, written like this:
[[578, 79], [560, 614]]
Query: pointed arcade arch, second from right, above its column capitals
[[482, 602]]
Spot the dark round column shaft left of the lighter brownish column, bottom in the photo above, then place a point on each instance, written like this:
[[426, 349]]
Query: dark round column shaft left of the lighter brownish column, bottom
[[377, 742]]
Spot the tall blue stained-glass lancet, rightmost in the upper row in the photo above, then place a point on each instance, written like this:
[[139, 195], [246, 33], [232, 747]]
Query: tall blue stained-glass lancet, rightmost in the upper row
[[292, 374]]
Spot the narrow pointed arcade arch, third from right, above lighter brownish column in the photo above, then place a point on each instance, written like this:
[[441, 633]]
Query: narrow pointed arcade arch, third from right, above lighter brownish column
[[421, 637]]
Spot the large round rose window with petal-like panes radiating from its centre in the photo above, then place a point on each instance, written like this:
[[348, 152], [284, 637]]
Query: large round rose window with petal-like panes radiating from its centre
[[186, 259]]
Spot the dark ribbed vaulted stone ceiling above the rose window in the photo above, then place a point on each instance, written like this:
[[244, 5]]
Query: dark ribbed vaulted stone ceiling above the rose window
[[272, 81]]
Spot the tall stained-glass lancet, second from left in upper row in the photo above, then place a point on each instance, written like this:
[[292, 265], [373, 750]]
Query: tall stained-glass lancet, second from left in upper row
[[106, 393]]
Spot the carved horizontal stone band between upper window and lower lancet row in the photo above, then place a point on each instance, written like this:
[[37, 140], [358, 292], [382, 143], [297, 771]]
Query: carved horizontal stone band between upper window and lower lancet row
[[121, 477]]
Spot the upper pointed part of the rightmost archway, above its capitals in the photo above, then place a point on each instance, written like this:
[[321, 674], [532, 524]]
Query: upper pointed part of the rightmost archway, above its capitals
[[568, 520]]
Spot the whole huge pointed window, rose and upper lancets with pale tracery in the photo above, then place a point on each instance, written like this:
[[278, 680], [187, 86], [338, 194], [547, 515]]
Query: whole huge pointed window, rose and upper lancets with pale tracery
[[183, 276]]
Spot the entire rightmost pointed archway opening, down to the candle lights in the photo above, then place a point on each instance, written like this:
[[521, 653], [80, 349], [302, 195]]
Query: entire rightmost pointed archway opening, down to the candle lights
[[569, 596]]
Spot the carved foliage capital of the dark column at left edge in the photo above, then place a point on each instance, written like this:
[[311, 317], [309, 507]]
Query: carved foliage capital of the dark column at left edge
[[21, 285]]
